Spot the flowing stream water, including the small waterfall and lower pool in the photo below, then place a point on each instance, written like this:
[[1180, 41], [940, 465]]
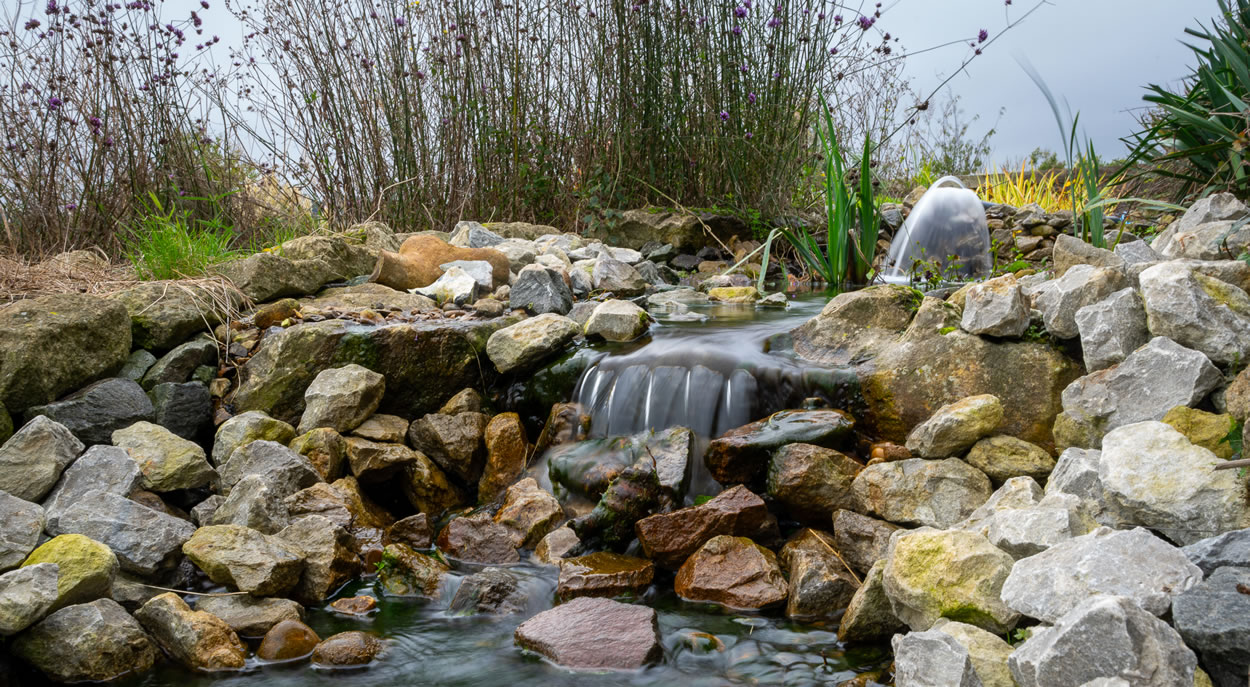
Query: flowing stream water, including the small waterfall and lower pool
[[711, 375]]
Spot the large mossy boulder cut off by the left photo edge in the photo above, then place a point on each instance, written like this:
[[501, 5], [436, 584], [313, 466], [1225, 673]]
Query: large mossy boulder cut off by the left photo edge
[[53, 345]]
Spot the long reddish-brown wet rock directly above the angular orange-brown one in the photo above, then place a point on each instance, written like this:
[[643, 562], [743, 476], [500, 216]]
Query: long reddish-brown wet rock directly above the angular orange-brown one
[[671, 539]]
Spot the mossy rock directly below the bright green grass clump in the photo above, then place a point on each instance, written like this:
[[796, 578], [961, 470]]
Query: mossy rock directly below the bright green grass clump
[[164, 314]]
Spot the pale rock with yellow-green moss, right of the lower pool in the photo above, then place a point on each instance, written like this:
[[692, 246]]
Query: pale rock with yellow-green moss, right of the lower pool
[[948, 574]]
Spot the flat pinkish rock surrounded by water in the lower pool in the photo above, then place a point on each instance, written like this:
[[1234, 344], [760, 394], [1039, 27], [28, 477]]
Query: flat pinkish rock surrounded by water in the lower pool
[[591, 633]]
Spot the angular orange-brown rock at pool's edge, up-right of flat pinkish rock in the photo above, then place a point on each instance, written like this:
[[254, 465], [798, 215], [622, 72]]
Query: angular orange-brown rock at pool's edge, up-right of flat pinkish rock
[[734, 573]]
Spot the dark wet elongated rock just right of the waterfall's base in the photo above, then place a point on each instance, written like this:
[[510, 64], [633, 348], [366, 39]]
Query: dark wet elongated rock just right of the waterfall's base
[[742, 457]]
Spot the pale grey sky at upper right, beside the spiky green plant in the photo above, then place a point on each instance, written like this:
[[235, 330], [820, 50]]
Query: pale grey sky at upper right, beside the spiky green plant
[[1098, 54]]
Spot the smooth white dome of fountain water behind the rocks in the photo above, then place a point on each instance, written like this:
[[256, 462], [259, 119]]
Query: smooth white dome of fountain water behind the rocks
[[947, 234]]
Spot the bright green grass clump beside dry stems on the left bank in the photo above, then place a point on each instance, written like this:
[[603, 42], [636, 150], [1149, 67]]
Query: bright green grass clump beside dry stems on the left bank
[[166, 243]]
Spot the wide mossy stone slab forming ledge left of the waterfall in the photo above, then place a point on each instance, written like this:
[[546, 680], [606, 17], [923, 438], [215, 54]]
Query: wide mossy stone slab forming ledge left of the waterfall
[[424, 363]]
